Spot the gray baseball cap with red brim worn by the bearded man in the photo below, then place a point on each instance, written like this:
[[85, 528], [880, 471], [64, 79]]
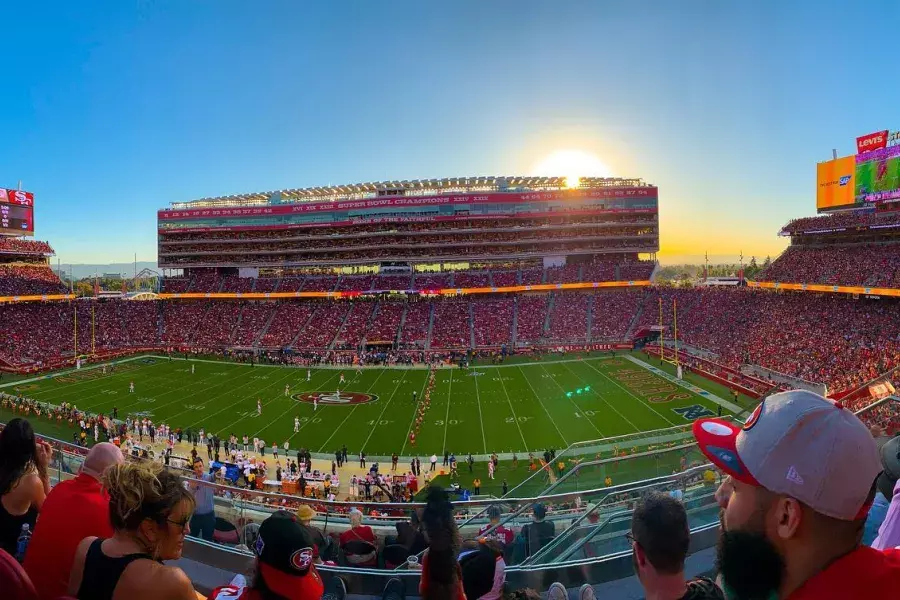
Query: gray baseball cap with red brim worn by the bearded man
[[801, 445]]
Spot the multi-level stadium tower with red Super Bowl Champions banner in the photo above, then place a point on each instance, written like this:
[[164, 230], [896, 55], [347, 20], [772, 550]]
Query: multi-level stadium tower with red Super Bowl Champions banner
[[435, 225]]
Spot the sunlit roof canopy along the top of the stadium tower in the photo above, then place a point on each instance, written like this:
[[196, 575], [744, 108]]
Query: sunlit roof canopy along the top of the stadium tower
[[418, 187]]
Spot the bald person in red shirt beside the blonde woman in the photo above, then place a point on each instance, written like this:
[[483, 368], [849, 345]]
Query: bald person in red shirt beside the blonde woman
[[74, 509]]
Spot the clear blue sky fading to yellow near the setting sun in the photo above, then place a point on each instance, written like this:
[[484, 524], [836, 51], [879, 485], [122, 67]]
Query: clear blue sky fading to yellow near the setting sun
[[113, 109]]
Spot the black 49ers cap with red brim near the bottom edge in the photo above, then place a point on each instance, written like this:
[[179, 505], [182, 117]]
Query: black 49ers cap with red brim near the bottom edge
[[285, 552]]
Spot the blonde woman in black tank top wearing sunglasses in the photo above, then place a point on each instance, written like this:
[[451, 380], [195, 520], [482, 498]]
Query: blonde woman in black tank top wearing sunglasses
[[149, 510]]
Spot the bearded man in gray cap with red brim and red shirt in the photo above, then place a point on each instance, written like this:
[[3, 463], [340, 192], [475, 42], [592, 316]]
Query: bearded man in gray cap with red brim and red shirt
[[802, 474]]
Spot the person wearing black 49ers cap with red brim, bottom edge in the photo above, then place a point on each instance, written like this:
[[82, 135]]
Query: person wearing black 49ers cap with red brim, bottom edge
[[284, 564]]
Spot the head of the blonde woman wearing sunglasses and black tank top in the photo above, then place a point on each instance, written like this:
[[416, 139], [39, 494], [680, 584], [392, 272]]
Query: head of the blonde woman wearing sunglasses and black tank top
[[150, 505]]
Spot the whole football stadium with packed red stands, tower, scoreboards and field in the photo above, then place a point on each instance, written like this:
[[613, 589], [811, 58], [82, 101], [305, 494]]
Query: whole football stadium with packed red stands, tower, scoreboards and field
[[504, 337]]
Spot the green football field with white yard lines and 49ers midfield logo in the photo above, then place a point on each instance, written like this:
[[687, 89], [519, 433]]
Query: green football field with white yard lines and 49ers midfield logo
[[525, 407]]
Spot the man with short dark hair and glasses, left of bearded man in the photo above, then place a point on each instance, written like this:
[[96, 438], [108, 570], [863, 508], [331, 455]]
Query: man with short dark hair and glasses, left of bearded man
[[659, 540]]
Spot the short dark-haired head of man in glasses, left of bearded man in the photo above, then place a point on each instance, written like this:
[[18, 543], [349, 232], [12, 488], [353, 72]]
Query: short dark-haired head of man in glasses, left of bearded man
[[660, 538]]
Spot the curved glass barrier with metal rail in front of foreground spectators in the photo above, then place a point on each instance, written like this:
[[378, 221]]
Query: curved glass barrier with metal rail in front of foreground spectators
[[573, 509]]
